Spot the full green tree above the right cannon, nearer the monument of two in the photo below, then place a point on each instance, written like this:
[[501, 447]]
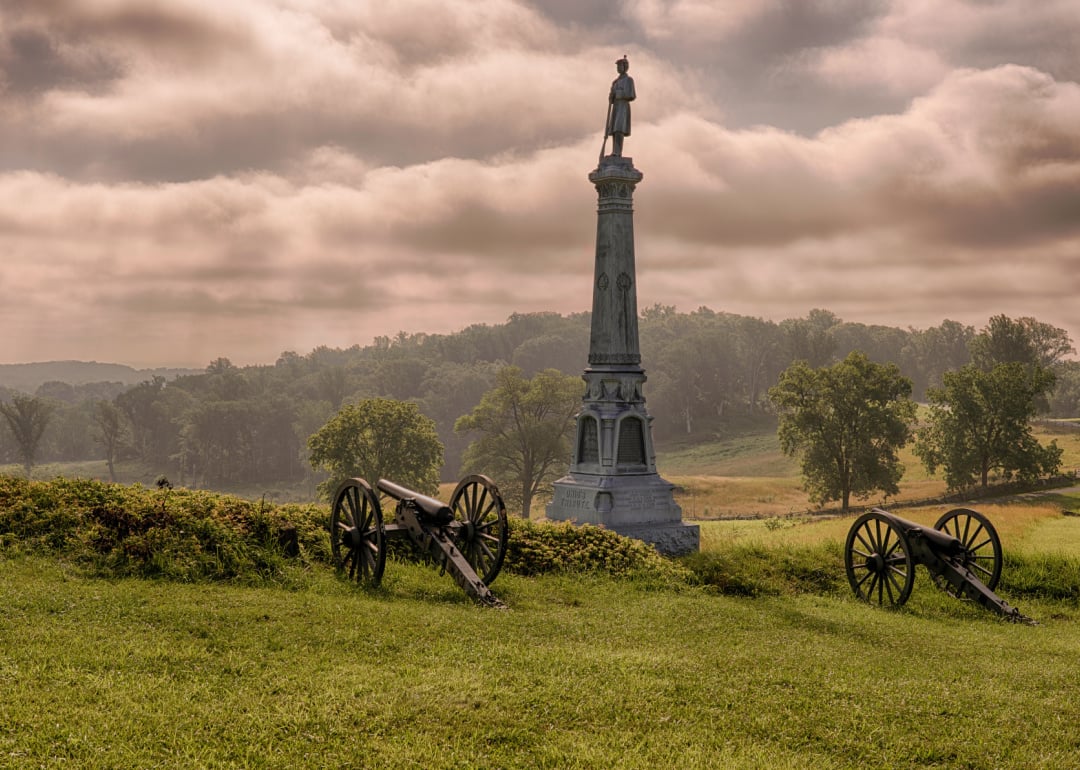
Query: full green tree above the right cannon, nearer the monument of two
[[846, 423]]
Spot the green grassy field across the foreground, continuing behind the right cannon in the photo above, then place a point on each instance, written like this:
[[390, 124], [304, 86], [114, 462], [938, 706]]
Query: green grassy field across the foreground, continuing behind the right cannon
[[583, 671]]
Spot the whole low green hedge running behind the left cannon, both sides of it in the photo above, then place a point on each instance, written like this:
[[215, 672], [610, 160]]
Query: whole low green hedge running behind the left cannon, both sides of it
[[190, 535]]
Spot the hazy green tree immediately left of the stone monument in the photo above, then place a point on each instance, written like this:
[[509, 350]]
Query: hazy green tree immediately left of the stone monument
[[525, 429]]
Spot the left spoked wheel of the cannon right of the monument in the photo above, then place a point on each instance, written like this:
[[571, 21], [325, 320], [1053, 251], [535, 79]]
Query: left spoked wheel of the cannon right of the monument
[[879, 560]]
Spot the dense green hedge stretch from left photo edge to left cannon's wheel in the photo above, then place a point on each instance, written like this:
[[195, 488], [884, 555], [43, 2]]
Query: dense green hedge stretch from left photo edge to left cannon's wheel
[[179, 534]]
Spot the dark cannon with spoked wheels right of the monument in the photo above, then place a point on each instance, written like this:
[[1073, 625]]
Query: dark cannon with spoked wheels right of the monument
[[962, 551]]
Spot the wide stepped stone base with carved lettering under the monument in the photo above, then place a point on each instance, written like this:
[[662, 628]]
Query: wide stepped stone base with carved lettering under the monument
[[639, 507]]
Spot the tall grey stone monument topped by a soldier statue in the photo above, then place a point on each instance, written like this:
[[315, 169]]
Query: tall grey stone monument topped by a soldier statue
[[613, 479]]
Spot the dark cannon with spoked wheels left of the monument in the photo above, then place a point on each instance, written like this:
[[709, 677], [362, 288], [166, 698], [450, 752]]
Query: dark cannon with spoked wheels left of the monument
[[467, 537]]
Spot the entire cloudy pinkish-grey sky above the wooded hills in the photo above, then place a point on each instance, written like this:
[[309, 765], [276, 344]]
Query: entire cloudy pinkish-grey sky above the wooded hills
[[184, 180]]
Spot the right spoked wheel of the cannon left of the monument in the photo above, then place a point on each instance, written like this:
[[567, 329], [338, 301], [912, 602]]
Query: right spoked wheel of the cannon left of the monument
[[484, 532]]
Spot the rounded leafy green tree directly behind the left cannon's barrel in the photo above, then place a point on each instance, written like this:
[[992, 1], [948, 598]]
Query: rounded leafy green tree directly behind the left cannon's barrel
[[379, 439]]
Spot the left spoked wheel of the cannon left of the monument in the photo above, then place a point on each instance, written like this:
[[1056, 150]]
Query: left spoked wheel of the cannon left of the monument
[[358, 541]]
